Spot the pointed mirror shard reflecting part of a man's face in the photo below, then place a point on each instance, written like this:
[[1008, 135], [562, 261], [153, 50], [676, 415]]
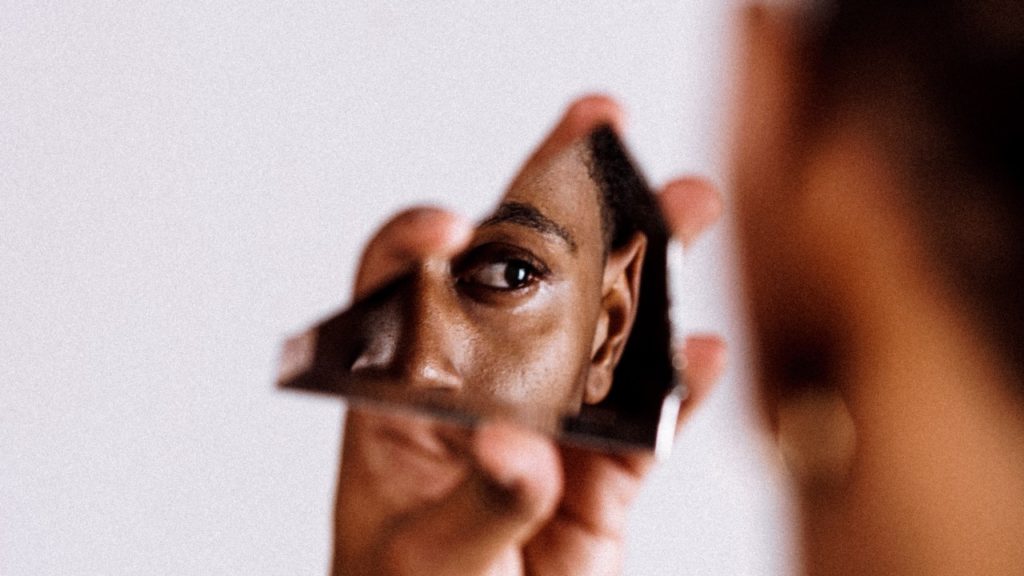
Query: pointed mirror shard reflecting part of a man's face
[[556, 314]]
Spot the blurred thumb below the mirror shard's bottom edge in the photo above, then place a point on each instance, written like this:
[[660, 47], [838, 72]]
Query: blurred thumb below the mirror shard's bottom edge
[[513, 489]]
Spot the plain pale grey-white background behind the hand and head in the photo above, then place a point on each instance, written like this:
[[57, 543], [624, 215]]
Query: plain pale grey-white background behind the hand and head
[[184, 184]]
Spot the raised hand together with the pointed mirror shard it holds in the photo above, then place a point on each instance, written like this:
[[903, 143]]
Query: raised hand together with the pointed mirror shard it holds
[[550, 313]]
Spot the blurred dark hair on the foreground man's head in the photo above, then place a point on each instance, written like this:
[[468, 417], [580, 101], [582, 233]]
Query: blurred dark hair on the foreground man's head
[[943, 85]]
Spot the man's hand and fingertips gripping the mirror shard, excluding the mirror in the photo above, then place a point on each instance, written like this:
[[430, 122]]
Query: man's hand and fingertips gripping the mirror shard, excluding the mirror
[[502, 500]]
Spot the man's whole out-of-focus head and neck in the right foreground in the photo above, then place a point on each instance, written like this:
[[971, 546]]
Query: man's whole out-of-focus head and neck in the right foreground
[[879, 174]]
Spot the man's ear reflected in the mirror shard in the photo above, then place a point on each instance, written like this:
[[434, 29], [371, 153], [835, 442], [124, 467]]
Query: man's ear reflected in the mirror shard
[[620, 298]]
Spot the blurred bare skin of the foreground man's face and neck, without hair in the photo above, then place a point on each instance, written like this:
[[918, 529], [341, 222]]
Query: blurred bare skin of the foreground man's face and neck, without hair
[[899, 419]]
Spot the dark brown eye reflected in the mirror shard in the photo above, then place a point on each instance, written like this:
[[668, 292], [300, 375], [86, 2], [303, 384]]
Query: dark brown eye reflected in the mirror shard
[[483, 259]]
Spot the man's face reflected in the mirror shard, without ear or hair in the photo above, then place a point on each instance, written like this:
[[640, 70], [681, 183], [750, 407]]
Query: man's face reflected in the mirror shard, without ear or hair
[[514, 318]]
